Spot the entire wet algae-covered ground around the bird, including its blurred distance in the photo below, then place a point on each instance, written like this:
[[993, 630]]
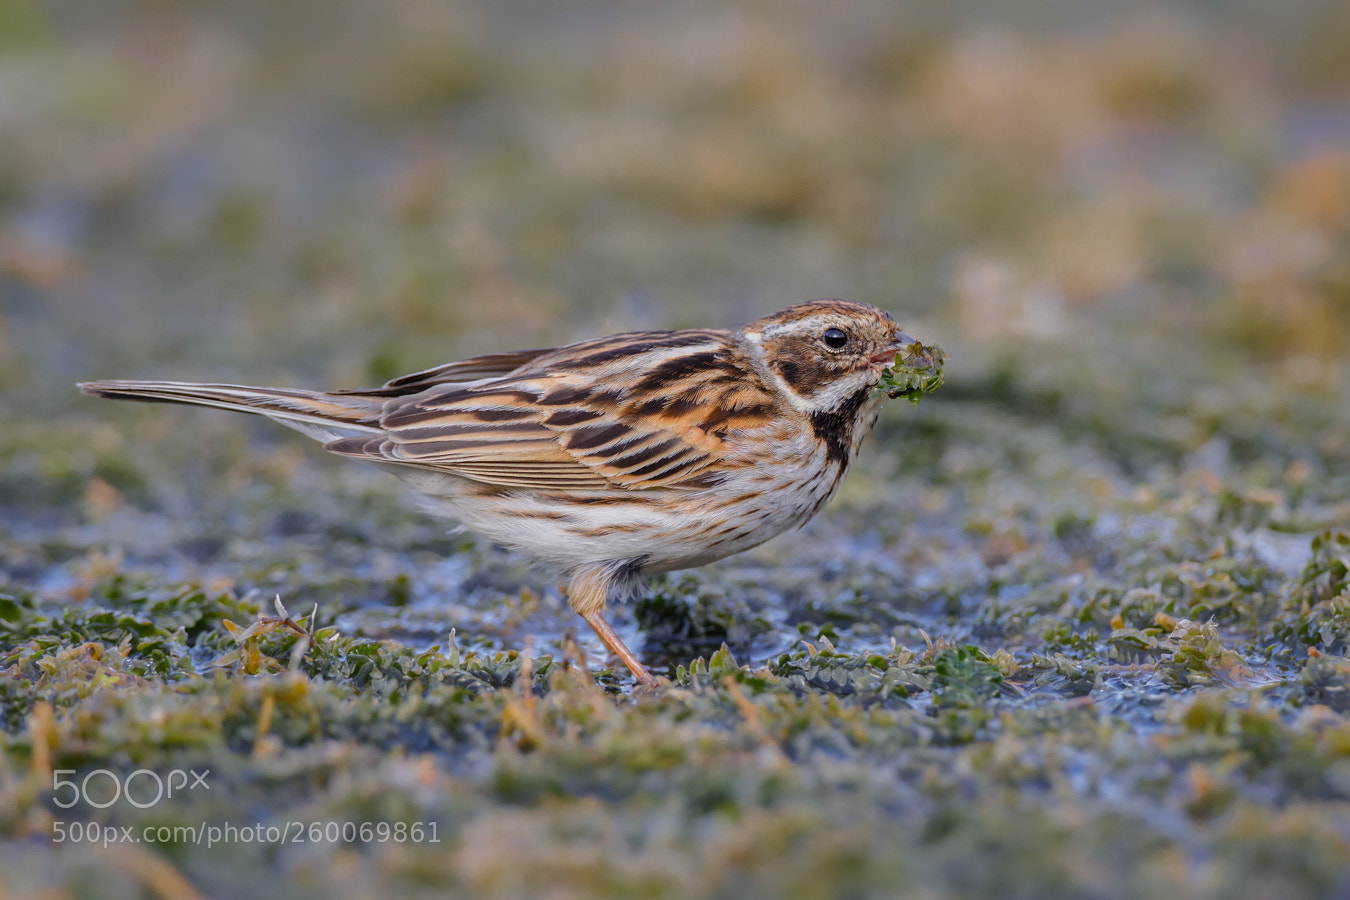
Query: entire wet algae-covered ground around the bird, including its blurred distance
[[1075, 627]]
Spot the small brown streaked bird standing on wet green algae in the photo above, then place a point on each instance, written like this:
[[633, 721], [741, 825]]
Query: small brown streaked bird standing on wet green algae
[[615, 458]]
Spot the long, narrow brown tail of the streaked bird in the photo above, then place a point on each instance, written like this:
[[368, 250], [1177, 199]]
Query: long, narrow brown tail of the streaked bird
[[323, 416]]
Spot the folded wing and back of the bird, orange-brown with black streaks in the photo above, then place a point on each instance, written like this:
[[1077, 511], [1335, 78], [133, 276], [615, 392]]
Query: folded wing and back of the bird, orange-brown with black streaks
[[631, 412]]
